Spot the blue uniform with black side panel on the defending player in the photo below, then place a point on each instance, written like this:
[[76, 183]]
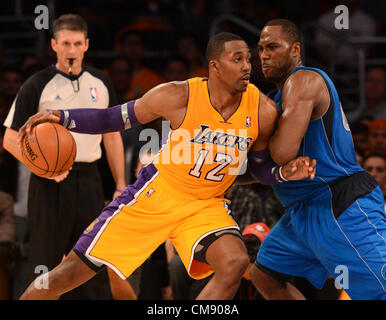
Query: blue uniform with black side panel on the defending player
[[335, 224]]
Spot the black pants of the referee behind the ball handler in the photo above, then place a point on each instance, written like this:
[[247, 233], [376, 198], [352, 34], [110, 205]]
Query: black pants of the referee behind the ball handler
[[58, 213]]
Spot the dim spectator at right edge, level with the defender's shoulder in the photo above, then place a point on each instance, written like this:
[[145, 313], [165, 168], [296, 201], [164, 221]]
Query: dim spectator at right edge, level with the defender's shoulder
[[375, 89]]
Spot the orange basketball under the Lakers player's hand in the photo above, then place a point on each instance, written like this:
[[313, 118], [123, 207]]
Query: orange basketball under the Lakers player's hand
[[49, 151]]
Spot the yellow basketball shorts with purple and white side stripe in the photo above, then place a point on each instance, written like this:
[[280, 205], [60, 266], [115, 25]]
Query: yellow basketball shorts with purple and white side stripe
[[146, 214]]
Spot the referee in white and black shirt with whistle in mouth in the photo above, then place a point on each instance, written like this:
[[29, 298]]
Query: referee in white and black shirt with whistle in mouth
[[59, 209]]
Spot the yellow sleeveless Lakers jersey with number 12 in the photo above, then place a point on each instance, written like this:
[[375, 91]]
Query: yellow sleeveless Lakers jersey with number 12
[[206, 153]]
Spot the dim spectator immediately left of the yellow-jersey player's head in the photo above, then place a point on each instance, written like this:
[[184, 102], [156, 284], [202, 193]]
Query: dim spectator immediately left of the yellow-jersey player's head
[[189, 48]]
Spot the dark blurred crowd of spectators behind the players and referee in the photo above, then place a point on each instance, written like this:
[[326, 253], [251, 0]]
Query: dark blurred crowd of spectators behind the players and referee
[[141, 44]]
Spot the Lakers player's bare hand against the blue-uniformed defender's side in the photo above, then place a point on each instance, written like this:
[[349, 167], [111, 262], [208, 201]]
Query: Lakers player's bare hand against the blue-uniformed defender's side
[[299, 168]]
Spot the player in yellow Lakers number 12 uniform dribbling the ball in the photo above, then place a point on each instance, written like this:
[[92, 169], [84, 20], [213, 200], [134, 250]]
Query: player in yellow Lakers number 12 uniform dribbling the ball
[[215, 123]]
